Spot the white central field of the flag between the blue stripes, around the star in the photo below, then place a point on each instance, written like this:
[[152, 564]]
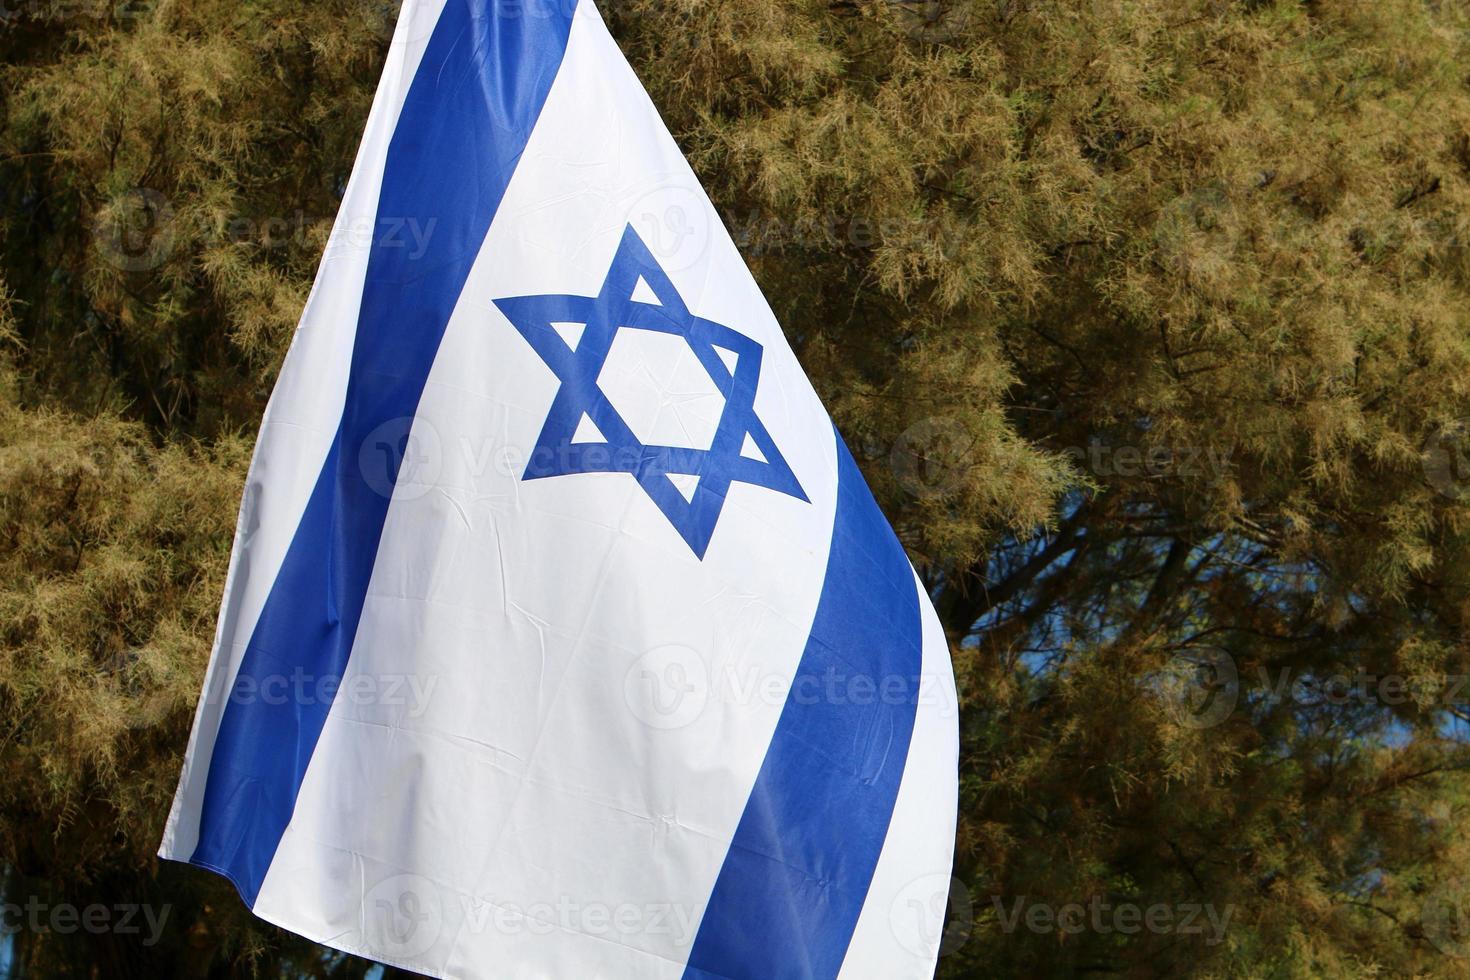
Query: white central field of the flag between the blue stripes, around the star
[[568, 788]]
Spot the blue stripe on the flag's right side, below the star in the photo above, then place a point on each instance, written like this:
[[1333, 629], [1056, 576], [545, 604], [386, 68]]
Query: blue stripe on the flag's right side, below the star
[[795, 881]]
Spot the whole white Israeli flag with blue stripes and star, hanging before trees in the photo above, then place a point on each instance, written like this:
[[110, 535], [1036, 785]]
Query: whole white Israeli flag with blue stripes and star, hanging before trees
[[562, 637]]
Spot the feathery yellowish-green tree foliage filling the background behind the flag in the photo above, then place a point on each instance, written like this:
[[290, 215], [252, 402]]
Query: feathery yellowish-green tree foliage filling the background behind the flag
[[1150, 323]]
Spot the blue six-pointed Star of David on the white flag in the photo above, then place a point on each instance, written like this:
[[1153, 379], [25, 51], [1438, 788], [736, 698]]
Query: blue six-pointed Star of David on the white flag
[[584, 431]]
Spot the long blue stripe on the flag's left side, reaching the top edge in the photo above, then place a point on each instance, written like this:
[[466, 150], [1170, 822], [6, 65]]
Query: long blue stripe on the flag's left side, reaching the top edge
[[477, 96]]
